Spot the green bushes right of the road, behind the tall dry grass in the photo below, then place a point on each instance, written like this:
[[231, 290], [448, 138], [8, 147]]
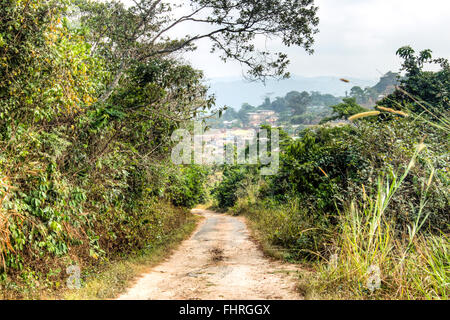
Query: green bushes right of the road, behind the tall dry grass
[[329, 167]]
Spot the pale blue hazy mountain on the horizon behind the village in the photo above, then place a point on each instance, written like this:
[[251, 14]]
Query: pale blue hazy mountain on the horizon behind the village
[[234, 92]]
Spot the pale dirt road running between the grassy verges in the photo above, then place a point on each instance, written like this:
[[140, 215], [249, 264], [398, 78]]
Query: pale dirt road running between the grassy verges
[[219, 261]]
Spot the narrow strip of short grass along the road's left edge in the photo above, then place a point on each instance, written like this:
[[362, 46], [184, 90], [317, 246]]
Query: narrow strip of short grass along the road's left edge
[[111, 280]]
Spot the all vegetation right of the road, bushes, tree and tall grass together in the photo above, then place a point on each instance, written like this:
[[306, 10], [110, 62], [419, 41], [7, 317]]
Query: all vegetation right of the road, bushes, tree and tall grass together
[[369, 191]]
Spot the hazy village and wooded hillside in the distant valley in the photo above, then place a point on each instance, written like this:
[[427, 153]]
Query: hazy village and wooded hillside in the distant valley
[[296, 110]]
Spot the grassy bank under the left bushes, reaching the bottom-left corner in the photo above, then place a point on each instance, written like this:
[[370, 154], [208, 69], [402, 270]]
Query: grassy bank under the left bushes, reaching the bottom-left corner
[[105, 278]]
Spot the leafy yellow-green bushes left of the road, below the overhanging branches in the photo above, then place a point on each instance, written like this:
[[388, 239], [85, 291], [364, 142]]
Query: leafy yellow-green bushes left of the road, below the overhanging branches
[[85, 179]]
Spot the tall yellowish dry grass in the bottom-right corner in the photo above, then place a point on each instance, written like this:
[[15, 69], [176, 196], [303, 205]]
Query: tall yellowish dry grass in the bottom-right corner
[[373, 261]]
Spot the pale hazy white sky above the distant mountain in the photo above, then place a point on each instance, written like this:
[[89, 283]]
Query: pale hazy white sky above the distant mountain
[[358, 38]]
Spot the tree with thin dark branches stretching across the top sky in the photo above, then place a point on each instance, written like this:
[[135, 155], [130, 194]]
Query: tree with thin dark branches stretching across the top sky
[[139, 33]]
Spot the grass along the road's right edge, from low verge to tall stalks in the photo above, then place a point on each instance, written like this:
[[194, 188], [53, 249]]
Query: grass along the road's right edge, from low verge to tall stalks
[[367, 257]]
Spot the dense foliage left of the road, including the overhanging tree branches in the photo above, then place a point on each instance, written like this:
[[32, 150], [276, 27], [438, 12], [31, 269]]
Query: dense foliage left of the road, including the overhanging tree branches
[[90, 94]]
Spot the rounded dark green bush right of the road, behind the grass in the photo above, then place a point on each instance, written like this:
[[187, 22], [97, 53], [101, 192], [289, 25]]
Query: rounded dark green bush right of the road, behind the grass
[[313, 167]]
